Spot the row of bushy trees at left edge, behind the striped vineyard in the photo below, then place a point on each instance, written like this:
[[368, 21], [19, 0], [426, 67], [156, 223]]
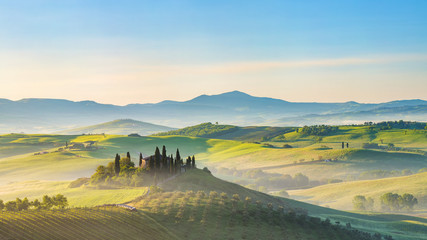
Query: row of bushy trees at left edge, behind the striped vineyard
[[58, 201]]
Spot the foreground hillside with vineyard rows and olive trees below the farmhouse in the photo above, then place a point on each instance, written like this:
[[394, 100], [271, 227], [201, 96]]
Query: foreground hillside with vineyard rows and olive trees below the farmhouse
[[211, 214]]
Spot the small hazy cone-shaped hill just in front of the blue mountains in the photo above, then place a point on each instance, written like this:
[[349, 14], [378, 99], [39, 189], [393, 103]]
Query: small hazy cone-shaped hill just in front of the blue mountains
[[119, 127]]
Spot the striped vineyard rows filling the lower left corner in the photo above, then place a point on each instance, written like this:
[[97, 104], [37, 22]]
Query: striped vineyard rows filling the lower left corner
[[87, 223]]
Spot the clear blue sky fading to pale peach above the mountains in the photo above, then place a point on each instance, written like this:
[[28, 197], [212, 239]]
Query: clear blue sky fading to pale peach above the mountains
[[122, 52]]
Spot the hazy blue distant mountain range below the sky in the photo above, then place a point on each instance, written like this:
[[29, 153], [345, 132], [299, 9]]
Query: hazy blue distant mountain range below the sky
[[237, 108]]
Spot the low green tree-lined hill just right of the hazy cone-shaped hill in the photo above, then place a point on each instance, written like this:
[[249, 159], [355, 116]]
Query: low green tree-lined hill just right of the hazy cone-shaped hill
[[229, 132]]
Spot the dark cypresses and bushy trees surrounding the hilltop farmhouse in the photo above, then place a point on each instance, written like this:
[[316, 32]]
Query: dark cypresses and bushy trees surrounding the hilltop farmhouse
[[123, 171]]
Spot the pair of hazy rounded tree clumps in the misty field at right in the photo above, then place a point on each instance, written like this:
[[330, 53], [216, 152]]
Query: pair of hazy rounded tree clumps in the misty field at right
[[388, 201]]
